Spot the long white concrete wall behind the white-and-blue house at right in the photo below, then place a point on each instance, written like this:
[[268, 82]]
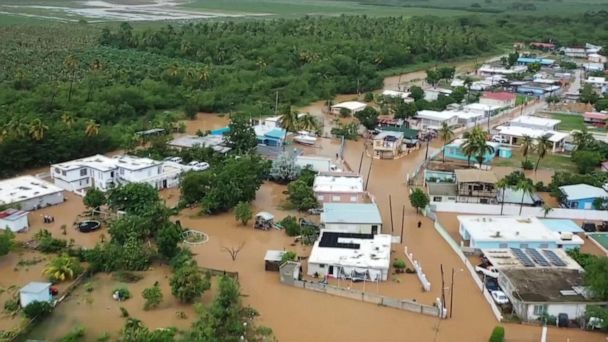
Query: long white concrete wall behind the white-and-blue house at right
[[513, 210]]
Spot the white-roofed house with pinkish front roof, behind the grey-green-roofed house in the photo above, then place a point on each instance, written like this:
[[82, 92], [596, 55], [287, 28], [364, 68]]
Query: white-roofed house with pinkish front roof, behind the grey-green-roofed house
[[334, 187]]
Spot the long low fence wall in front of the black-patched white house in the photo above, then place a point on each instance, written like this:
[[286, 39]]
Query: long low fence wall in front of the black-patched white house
[[373, 298]]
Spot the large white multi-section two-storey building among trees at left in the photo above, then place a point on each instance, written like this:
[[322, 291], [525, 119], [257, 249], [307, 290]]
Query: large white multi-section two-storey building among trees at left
[[103, 173]]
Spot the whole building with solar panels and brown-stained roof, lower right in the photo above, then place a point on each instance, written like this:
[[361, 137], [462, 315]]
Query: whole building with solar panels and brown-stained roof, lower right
[[541, 281]]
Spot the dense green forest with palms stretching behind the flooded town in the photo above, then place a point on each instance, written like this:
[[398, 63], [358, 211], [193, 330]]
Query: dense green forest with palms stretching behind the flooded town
[[70, 91]]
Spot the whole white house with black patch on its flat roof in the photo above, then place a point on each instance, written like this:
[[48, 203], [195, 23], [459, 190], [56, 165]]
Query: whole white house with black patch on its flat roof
[[351, 256]]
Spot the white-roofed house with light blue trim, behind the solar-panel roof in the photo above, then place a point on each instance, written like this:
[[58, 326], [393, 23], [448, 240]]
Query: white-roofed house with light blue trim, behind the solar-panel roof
[[485, 232]]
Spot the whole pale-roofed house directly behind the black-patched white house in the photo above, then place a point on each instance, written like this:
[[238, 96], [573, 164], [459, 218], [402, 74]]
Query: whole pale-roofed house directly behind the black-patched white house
[[360, 218]]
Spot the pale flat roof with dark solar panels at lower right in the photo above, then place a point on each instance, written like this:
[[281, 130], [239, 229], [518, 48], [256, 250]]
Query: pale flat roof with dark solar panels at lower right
[[505, 258]]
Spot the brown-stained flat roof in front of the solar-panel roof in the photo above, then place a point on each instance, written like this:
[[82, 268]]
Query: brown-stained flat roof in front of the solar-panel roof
[[555, 285]]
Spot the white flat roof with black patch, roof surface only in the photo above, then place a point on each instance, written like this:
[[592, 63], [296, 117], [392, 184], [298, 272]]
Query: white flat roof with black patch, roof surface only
[[352, 250]]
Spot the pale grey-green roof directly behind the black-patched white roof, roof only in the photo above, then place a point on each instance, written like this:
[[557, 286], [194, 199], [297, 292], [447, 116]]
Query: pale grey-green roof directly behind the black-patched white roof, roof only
[[362, 213]]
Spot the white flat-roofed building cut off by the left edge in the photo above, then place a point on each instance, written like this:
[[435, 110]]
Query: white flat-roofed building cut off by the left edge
[[29, 193]]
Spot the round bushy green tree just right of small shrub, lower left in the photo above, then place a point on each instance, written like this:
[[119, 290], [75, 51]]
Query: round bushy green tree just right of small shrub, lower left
[[188, 283]]
